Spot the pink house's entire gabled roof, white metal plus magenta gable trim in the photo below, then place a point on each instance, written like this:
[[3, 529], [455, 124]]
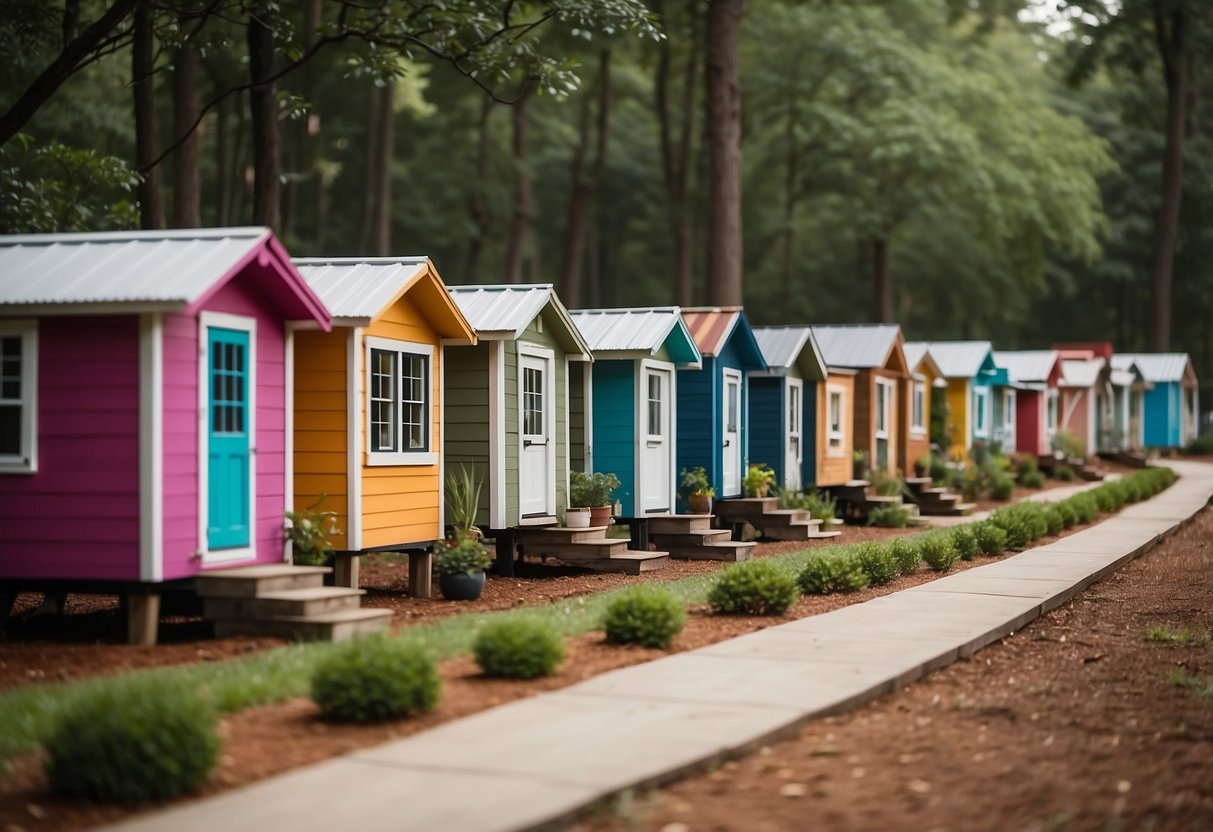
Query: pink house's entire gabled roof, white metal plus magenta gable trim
[[156, 271]]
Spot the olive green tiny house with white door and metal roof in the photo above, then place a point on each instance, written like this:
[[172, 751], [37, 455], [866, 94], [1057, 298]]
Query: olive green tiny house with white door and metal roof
[[508, 402]]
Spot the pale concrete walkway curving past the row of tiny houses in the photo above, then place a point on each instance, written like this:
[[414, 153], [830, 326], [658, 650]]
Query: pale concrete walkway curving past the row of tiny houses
[[545, 759]]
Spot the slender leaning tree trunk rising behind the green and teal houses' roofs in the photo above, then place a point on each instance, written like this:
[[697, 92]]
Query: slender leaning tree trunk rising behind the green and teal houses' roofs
[[584, 185]]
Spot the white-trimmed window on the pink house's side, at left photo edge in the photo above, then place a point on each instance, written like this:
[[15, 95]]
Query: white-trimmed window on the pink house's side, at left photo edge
[[19, 387]]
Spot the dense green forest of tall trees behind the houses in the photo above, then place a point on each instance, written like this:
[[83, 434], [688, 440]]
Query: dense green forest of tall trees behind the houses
[[1023, 172]]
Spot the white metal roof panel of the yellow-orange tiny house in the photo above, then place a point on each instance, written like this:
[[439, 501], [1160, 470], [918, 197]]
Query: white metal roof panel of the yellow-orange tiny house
[[356, 288]]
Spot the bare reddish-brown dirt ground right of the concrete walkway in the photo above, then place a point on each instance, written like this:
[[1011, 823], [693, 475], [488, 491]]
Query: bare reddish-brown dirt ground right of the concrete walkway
[[1078, 722]]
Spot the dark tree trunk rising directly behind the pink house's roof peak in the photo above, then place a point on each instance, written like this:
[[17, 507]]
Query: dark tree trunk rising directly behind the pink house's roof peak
[[264, 105]]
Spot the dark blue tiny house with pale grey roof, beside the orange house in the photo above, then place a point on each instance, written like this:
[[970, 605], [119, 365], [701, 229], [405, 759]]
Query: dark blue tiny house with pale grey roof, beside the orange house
[[783, 400]]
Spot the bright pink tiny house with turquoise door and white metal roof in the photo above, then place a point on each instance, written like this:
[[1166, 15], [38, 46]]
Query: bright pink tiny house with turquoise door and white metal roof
[[145, 411]]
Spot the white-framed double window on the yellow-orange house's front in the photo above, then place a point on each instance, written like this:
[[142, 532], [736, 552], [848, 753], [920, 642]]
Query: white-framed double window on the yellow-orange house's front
[[400, 403]]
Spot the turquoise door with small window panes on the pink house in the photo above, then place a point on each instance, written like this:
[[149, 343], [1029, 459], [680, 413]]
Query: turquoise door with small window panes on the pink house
[[227, 440]]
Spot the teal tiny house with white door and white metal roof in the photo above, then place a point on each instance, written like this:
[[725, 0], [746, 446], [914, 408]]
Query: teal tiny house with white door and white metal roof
[[633, 413]]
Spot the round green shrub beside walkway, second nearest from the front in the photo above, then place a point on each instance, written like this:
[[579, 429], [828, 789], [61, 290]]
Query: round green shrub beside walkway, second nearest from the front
[[375, 679]]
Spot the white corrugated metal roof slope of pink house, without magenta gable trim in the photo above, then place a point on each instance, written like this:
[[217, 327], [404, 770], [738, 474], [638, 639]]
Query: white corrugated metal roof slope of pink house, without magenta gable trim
[[155, 269]]
